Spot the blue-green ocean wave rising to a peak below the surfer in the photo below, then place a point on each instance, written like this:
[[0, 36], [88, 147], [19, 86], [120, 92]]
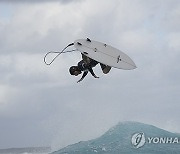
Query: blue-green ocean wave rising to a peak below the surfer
[[128, 138]]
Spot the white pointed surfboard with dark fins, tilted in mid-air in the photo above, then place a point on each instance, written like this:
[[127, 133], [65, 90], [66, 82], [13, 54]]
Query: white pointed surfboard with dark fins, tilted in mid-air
[[104, 54]]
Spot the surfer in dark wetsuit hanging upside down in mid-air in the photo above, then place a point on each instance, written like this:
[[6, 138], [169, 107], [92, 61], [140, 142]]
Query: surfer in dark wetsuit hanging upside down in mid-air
[[86, 65]]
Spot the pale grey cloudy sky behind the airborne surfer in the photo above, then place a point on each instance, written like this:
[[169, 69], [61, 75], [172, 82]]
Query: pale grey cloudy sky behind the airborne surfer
[[44, 105]]
